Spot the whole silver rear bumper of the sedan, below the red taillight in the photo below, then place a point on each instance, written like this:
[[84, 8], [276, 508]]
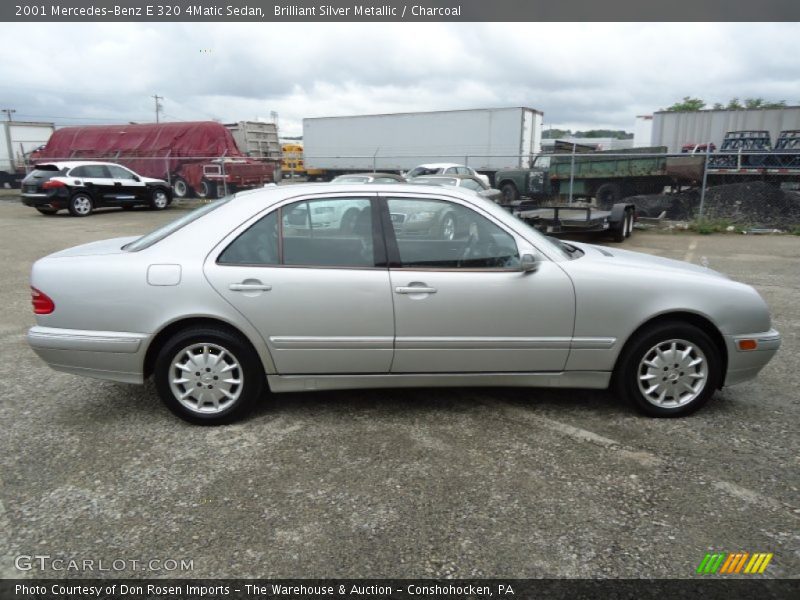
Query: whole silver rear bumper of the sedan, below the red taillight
[[111, 355]]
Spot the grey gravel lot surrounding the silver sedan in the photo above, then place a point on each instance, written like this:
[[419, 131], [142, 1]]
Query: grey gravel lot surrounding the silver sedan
[[421, 483]]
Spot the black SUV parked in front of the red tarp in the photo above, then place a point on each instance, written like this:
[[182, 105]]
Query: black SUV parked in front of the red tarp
[[80, 187]]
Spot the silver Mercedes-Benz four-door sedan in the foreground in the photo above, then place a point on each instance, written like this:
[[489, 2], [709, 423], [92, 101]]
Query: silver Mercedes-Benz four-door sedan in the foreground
[[425, 286]]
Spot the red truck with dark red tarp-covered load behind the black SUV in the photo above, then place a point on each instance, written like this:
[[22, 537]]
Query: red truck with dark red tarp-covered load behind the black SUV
[[195, 157]]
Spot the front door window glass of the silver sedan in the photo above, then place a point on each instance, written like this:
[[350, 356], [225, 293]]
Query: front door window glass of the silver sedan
[[435, 234]]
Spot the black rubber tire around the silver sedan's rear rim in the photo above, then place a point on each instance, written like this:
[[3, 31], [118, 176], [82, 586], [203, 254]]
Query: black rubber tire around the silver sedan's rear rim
[[249, 371]]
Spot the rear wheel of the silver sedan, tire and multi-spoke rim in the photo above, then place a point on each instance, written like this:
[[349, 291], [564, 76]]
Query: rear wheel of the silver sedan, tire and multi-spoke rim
[[208, 376]]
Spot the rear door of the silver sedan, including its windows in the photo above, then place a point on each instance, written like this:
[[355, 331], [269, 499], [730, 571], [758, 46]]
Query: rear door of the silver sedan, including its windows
[[311, 276]]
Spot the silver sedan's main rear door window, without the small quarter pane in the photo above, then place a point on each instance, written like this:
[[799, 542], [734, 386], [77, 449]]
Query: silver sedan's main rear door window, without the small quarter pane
[[330, 232]]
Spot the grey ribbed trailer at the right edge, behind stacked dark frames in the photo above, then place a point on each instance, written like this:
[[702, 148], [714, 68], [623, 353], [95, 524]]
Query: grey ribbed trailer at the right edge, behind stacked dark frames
[[676, 129]]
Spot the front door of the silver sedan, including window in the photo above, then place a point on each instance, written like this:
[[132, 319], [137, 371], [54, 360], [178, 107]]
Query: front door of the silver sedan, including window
[[461, 302]]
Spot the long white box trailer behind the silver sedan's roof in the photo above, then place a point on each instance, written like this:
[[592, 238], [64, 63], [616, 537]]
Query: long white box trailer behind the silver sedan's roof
[[486, 139]]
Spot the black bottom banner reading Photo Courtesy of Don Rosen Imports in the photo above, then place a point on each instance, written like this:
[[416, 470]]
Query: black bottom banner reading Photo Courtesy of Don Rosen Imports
[[399, 589]]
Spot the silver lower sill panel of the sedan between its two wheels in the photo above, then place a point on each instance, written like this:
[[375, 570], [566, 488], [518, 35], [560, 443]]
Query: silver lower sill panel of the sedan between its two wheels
[[570, 379]]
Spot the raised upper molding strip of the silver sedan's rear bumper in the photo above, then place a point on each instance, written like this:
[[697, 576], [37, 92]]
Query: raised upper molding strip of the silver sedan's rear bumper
[[50, 338]]
